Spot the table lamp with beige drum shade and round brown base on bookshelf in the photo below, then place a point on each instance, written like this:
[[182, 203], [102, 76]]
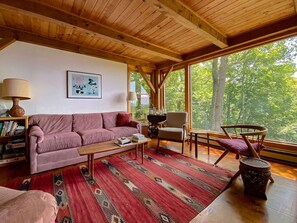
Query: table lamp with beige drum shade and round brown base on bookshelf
[[16, 89]]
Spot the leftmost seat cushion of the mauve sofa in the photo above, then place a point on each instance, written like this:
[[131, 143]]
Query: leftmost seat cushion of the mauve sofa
[[58, 141]]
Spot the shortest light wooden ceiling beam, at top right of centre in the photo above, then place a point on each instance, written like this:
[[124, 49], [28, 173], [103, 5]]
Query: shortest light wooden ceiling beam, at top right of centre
[[188, 18]]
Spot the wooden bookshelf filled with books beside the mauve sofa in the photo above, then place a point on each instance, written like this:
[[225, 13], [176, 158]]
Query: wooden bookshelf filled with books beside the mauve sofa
[[13, 139]]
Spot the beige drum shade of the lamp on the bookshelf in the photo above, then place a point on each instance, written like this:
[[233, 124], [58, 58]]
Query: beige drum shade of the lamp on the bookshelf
[[16, 88]]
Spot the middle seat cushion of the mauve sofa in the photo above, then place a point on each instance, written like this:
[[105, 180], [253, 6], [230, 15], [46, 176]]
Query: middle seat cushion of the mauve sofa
[[95, 135]]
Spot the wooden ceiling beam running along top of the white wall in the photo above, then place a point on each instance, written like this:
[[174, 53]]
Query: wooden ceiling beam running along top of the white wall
[[76, 48]]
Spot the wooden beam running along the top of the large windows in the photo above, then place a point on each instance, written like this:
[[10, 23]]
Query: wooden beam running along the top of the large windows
[[264, 35]]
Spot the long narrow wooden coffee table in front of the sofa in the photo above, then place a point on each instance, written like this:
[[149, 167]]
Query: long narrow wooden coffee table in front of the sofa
[[92, 149]]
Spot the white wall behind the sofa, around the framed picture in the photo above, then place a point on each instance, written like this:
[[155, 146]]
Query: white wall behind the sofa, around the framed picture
[[45, 68]]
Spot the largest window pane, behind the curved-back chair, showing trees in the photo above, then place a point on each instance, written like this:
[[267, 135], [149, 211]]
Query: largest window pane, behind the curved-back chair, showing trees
[[256, 86]]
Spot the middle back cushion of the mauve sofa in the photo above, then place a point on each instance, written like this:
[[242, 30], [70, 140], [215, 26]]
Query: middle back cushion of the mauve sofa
[[87, 121]]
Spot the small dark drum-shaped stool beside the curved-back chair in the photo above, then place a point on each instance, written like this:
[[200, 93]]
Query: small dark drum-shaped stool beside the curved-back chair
[[255, 175]]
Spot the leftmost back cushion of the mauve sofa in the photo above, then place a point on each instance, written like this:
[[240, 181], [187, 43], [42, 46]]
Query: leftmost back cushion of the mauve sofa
[[52, 123]]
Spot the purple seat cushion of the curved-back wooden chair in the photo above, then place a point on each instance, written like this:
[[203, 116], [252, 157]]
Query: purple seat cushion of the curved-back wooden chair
[[239, 146]]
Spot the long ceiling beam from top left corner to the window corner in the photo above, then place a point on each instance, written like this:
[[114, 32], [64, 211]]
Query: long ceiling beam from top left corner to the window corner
[[103, 31]]
